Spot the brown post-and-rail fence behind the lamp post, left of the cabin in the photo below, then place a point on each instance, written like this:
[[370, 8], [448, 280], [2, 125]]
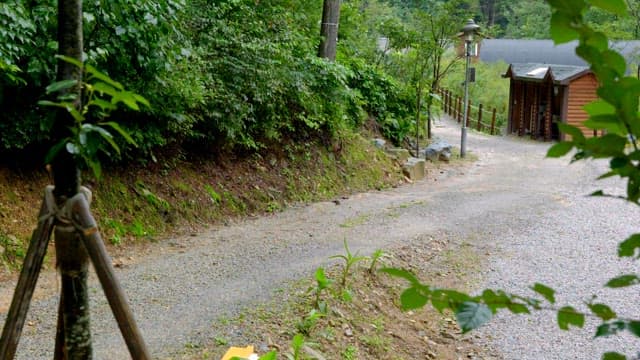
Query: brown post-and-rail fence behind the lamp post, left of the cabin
[[479, 117]]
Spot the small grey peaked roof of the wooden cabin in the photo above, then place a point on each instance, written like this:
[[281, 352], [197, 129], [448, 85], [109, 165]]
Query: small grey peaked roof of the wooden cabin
[[538, 72]]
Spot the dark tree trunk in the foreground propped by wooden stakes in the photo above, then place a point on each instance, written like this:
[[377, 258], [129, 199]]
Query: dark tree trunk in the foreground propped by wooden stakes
[[71, 255]]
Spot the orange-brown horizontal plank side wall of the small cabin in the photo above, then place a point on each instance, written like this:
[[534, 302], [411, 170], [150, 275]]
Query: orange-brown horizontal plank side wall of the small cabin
[[581, 91]]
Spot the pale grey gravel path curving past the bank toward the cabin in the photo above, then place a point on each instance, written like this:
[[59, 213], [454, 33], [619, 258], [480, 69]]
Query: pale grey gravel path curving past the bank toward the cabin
[[527, 214]]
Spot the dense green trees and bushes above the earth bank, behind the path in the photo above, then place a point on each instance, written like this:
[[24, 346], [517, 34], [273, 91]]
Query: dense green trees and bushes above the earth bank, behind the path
[[240, 75]]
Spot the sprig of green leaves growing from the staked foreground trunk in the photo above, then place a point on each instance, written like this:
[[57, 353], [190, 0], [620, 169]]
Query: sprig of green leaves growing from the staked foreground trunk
[[90, 131]]
